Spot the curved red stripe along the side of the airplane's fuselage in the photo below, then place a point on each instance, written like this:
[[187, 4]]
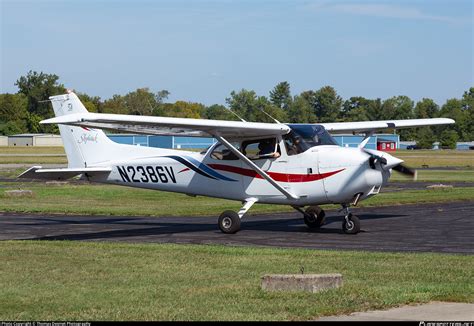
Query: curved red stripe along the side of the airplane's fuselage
[[282, 177]]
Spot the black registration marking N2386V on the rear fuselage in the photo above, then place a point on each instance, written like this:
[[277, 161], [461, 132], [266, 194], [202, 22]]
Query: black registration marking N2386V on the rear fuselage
[[145, 174]]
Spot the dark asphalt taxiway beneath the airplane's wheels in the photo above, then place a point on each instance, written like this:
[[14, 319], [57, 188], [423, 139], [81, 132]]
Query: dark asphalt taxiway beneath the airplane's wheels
[[443, 227]]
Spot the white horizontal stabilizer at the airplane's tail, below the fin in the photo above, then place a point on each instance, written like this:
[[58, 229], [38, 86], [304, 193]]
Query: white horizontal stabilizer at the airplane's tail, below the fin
[[36, 172]]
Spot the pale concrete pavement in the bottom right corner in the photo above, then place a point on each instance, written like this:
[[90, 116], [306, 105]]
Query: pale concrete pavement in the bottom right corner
[[434, 311]]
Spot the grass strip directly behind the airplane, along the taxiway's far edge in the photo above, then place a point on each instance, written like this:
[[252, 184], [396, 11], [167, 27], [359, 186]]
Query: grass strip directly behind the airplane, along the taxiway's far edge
[[116, 200]]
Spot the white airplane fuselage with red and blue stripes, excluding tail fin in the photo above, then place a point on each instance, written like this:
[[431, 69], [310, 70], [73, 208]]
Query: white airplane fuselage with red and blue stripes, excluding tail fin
[[322, 174]]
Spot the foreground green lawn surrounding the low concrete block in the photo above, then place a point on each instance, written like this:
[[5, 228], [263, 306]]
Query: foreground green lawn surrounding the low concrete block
[[108, 281]]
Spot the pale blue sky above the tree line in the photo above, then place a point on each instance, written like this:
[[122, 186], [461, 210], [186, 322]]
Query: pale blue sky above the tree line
[[200, 51]]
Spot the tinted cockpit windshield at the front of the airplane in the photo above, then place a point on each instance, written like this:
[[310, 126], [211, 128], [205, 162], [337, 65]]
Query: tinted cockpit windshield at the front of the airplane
[[309, 135]]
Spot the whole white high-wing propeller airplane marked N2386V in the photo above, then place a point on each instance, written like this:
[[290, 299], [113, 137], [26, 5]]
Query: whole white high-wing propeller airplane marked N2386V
[[285, 164]]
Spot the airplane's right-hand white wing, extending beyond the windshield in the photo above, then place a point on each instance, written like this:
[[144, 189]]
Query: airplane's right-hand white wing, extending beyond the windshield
[[373, 126]]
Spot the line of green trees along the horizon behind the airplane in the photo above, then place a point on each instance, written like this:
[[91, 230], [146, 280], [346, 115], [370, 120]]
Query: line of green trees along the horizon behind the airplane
[[22, 112]]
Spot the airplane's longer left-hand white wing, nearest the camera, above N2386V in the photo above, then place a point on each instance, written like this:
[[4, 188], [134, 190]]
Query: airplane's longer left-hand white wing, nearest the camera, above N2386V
[[171, 126]]
